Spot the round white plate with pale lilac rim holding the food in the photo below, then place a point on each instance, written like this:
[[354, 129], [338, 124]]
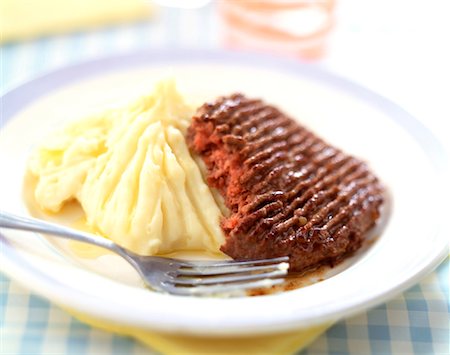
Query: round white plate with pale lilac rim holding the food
[[401, 151]]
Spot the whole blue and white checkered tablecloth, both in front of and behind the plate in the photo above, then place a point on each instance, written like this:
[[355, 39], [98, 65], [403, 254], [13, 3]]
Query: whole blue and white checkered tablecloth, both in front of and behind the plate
[[416, 322]]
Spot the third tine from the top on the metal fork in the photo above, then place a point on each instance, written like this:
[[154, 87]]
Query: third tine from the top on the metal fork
[[233, 278]]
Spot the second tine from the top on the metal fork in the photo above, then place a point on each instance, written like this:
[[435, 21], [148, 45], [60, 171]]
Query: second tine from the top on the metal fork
[[229, 269]]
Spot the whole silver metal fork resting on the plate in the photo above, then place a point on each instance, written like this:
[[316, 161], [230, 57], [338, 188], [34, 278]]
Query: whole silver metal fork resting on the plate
[[174, 276]]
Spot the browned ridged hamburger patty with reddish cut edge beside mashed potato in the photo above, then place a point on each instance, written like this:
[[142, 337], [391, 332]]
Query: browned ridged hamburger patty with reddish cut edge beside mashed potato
[[289, 192]]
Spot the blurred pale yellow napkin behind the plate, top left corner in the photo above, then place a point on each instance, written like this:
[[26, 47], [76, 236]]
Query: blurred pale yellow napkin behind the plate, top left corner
[[23, 19]]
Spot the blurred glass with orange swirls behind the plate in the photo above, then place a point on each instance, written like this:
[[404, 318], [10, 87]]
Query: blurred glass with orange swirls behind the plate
[[296, 28]]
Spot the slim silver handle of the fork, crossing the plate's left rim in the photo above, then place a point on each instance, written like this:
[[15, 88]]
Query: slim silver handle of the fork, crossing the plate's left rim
[[11, 221]]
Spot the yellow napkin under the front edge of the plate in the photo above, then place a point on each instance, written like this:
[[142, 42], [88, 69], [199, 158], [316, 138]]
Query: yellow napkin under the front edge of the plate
[[172, 344]]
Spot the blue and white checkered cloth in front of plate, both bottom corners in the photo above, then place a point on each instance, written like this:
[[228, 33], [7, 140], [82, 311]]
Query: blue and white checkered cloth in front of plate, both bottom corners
[[415, 322]]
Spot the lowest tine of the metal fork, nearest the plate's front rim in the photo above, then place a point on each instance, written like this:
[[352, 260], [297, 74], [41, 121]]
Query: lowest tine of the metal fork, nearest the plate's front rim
[[226, 289]]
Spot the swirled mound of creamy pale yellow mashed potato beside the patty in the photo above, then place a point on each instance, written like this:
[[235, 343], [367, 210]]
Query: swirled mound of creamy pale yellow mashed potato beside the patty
[[133, 175]]
